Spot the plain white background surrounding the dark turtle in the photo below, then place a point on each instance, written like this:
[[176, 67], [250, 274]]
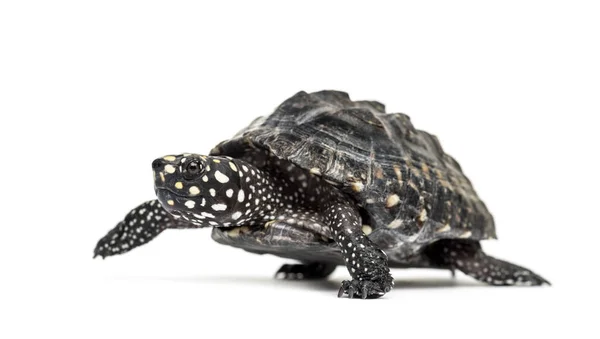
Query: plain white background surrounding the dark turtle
[[92, 92]]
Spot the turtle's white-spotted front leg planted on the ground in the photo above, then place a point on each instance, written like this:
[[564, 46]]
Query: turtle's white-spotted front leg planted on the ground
[[366, 263]]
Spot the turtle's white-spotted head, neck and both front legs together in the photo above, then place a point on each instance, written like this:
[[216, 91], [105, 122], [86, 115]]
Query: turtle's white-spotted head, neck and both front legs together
[[200, 191]]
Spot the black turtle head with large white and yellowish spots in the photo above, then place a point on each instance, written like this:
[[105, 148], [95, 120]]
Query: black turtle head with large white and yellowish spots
[[203, 190]]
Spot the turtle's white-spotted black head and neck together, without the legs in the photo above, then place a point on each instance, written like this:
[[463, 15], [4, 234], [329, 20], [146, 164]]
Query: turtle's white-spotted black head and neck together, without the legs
[[224, 192]]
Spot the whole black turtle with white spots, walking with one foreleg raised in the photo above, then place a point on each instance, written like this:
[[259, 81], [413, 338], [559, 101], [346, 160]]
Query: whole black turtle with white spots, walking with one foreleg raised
[[327, 181]]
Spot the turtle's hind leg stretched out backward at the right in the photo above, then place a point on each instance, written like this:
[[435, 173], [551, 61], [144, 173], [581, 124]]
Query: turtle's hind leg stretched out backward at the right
[[468, 257]]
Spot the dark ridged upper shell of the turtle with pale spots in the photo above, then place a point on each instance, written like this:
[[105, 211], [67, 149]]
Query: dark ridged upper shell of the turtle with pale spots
[[409, 190]]
